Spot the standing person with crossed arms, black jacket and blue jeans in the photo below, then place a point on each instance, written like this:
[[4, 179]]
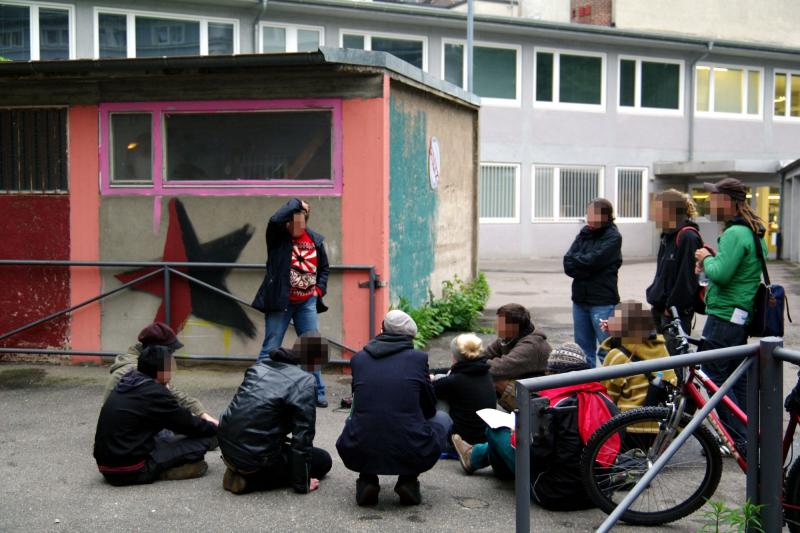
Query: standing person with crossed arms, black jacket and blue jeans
[[593, 263]]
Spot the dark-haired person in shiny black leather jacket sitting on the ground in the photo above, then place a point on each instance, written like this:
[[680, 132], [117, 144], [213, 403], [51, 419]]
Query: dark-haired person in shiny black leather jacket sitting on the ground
[[276, 398]]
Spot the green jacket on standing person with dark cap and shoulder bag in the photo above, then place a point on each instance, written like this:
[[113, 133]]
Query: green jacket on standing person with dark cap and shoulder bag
[[734, 273]]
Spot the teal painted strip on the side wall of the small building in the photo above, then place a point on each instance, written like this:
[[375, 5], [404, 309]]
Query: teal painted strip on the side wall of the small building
[[412, 206]]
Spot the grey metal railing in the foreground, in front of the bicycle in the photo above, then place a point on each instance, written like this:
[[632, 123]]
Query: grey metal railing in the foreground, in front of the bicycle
[[763, 363]]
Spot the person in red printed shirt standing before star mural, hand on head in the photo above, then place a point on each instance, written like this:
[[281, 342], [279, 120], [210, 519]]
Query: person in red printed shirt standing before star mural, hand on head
[[295, 282]]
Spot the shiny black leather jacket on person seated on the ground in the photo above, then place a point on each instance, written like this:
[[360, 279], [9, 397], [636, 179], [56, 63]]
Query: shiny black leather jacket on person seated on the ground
[[275, 399]]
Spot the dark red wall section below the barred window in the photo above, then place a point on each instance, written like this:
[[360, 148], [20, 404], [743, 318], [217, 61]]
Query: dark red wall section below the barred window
[[34, 227]]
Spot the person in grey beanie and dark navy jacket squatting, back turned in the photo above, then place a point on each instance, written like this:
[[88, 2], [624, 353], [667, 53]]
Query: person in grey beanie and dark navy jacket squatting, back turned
[[393, 428]]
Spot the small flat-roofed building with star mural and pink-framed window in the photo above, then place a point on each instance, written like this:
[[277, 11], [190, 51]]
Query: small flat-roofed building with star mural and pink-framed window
[[185, 159]]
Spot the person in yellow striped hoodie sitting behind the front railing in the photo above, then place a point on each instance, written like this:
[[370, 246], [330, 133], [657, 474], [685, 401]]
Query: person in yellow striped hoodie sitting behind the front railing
[[633, 338]]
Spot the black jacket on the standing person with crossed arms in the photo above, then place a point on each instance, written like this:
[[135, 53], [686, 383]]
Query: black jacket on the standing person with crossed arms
[[593, 262]]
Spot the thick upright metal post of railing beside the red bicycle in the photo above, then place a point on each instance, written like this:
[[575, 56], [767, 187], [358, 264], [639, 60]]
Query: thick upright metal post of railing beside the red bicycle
[[770, 434]]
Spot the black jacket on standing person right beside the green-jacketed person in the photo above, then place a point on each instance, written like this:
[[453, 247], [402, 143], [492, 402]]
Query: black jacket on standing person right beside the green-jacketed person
[[675, 282]]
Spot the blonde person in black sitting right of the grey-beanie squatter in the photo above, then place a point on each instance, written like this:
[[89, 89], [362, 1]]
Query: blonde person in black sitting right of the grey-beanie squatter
[[467, 388]]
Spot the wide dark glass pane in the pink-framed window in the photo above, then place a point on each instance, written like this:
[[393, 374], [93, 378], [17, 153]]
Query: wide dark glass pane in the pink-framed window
[[285, 145]]
